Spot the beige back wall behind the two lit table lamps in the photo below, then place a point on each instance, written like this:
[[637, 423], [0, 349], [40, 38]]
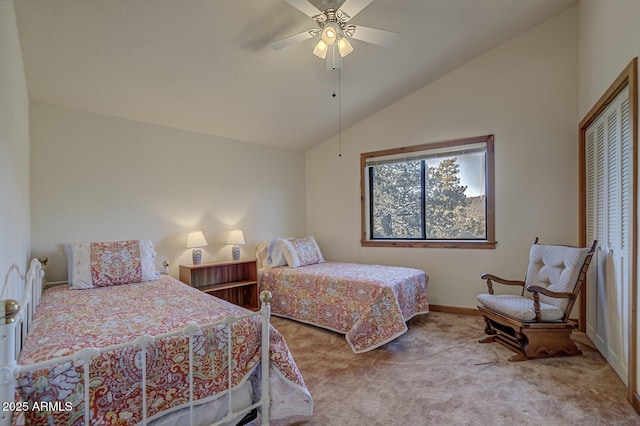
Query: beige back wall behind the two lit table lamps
[[96, 178]]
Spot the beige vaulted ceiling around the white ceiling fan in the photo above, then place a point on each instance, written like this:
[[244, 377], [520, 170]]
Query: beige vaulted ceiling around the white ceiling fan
[[204, 65]]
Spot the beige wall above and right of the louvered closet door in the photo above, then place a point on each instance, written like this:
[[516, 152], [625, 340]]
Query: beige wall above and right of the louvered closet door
[[609, 39]]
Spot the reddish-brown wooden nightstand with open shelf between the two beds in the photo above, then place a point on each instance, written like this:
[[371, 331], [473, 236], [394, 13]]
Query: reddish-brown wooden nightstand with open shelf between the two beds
[[233, 280]]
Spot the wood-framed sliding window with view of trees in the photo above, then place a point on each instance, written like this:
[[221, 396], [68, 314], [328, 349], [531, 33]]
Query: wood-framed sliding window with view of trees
[[432, 195]]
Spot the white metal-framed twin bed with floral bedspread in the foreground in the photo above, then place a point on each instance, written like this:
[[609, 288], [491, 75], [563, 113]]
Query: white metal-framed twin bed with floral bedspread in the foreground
[[151, 352]]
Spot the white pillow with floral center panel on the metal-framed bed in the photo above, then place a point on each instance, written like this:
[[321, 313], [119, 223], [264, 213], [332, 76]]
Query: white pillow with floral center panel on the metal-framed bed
[[101, 264]]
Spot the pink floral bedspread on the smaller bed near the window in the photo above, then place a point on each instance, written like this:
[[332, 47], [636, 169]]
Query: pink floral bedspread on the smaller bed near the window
[[368, 303]]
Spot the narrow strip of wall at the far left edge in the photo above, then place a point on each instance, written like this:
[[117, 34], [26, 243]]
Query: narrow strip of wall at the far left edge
[[14, 157]]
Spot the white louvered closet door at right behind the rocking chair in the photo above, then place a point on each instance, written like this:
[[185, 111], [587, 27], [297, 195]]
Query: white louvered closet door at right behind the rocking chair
[[608, 204]]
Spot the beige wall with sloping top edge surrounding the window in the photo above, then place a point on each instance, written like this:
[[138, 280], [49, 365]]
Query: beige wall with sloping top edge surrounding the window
[[525, 93]]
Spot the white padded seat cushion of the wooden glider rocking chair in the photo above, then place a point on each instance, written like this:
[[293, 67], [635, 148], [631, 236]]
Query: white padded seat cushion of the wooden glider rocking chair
[[519, 307]]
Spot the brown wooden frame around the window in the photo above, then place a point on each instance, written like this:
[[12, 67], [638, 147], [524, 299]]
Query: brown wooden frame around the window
[[488, 243]]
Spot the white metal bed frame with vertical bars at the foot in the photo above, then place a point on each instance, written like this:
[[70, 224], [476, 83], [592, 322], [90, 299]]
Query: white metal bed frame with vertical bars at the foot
[[15, 323]]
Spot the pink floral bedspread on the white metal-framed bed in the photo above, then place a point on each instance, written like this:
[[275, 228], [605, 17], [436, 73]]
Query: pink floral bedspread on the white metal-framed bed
[[68, 320]]
